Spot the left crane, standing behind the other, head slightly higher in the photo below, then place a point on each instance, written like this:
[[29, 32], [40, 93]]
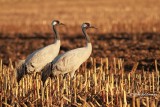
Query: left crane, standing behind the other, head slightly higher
[[39, 58]]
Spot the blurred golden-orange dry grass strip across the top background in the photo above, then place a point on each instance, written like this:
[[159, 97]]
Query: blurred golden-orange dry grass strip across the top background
[[110, 16]]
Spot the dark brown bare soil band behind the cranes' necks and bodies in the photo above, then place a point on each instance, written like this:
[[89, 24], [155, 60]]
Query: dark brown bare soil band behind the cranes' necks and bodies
[[143, 48]]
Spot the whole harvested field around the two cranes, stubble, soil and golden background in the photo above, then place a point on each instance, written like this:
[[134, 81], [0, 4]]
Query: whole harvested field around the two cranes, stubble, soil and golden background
[[124, 65]]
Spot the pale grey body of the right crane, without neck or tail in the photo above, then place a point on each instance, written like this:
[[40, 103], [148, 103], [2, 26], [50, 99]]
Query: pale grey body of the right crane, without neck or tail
[[70, 61]]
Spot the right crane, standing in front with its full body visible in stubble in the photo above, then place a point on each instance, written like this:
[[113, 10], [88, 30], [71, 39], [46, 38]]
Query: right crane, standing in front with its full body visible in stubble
[[70, 61]]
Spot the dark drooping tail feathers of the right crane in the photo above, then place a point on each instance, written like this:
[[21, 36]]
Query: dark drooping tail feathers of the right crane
[[46, 71]]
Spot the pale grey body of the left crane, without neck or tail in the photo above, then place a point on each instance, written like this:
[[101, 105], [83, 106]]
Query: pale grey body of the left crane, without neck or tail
[[37, 60]]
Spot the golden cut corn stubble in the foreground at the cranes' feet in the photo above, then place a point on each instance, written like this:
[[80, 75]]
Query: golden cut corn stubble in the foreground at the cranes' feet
[[94, 86]]
